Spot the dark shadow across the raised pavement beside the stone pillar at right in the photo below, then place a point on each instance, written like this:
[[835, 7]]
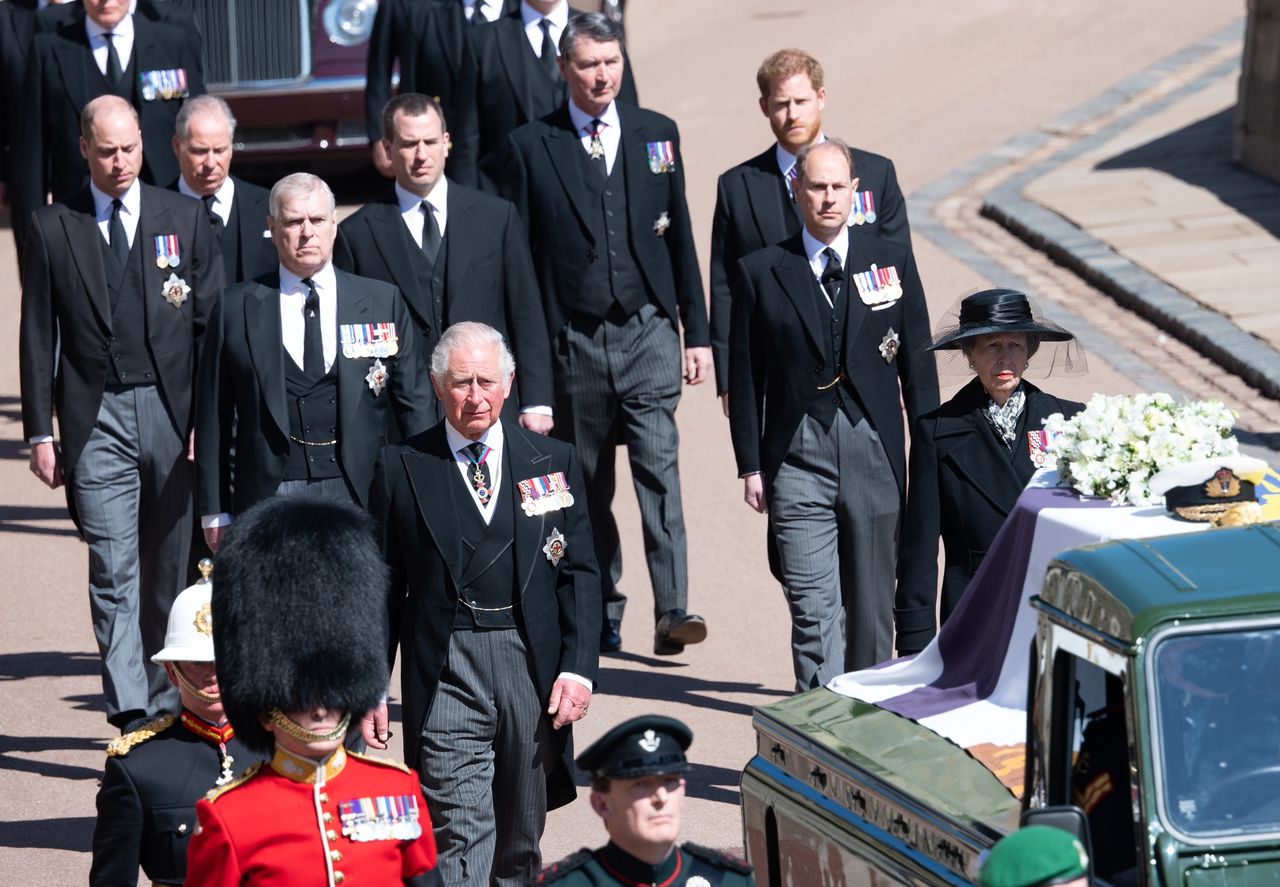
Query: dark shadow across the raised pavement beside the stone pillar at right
[[1201, 156]]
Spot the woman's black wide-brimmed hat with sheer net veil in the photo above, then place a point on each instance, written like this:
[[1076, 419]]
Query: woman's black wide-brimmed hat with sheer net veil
[[994, 312]]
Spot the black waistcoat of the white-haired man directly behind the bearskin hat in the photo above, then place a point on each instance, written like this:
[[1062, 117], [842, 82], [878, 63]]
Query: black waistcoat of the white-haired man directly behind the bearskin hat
[[313, 401]]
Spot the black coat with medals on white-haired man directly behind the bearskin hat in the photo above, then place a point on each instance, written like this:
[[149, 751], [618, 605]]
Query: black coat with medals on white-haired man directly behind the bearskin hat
[[243, 426]]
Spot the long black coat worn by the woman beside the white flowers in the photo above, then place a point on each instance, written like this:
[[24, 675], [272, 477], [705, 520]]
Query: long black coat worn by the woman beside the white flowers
[[963, 486]]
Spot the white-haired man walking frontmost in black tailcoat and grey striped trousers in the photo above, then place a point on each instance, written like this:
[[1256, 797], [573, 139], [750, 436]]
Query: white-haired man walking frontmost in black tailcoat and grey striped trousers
[[496, 607]]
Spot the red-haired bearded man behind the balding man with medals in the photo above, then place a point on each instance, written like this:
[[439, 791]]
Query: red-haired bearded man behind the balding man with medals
[[755, 207]]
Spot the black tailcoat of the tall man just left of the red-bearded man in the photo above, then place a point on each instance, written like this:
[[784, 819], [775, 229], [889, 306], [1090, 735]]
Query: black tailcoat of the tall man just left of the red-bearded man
[[545, 179]]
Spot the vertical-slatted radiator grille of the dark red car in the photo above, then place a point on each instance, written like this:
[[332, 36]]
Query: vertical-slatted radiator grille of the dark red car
[[248, 42]]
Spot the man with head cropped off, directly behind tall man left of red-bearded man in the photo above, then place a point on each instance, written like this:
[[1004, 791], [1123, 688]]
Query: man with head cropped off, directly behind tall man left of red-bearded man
[[510, 80]]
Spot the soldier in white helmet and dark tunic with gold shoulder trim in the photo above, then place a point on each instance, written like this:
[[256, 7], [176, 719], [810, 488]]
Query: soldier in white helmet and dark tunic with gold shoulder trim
[[147, 808]]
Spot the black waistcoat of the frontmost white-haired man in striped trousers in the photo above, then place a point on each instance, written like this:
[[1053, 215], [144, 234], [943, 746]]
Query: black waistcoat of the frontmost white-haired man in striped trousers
[[488, 579]]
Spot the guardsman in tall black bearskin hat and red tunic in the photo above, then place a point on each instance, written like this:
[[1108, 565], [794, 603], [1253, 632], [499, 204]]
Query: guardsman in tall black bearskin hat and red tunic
[[301, 614]]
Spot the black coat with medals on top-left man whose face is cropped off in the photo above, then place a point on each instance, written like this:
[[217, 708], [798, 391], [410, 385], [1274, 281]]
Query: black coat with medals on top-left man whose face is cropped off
[[62, 77]]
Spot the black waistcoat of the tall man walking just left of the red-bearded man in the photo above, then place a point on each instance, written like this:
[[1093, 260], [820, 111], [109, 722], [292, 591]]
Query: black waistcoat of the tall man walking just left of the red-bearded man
[[614, 276]]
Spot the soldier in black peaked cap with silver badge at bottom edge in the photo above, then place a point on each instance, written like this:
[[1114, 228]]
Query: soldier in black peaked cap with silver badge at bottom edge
[[638, 787]]
